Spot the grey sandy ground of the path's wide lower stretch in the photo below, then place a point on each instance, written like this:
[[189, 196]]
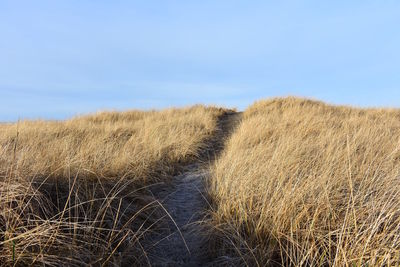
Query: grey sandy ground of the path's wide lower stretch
[[184, 242]]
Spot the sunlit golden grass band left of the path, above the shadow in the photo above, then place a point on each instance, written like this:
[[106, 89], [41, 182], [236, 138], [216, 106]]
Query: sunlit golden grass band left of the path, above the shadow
[[135, 144]]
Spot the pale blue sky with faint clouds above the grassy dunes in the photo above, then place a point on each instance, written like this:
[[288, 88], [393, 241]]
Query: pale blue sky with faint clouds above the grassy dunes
[[62, 58]]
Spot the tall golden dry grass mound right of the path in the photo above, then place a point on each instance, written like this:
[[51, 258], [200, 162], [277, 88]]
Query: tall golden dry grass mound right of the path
[[304, 183]]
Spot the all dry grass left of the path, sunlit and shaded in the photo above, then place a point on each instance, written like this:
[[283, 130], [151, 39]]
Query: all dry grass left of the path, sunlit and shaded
[[73, 192]]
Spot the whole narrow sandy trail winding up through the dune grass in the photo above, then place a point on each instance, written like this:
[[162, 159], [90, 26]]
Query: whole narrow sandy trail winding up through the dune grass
[[184, 241]]
